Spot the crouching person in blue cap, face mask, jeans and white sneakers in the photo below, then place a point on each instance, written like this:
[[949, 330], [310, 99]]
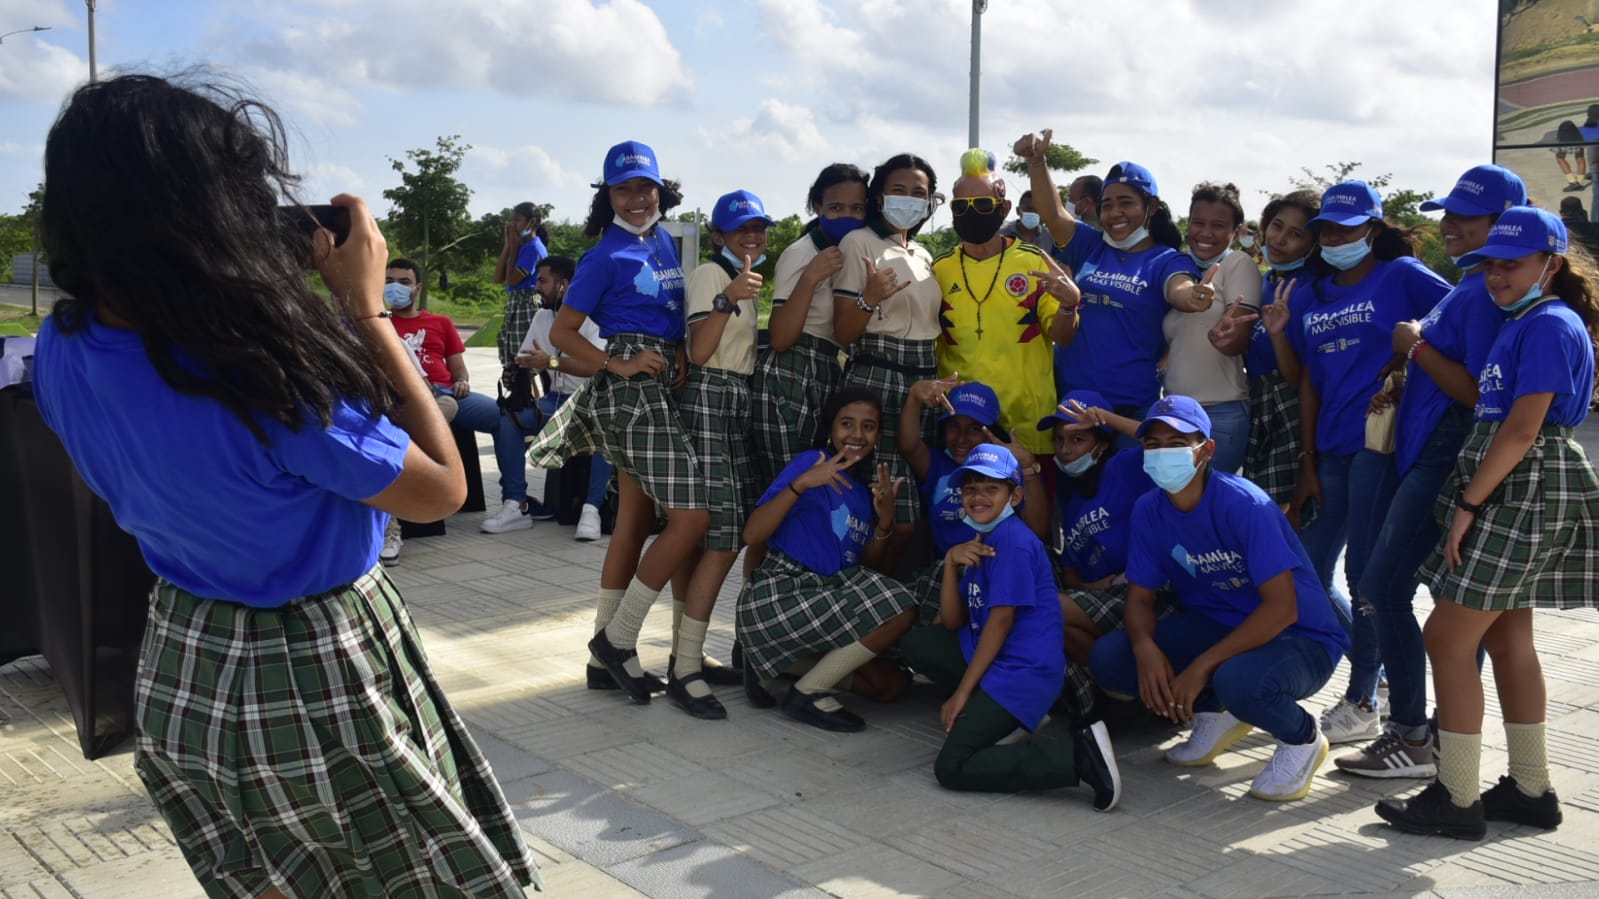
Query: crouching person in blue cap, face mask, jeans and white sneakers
[[1254, 631]]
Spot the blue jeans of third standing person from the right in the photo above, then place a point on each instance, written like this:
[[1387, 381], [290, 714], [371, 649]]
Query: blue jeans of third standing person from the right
[[1354, 490]]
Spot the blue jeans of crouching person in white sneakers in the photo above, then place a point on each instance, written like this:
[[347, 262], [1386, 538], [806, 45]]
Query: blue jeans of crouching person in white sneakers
[[1261, 687]]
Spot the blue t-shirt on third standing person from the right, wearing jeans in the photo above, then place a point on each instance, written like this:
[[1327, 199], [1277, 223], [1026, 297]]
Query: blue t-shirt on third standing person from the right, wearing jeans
[[1344, 337]]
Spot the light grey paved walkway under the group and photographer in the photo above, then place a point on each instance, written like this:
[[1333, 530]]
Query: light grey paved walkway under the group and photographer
[[624, 801]]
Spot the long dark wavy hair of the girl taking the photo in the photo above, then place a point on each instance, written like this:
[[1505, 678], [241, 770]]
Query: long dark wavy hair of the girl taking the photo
[[161, 207]]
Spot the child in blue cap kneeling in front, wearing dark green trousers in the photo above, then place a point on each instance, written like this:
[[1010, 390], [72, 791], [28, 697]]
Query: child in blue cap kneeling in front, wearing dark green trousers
[[999, 647]]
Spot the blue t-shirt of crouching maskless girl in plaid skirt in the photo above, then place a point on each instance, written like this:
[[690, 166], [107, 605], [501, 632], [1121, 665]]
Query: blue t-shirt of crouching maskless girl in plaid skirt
[[826, 530]]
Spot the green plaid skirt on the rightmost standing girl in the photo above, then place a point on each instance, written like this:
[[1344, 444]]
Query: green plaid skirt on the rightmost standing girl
[[1537, 543]]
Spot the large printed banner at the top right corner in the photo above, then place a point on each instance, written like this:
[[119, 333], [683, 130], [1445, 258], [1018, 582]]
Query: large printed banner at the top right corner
[[1547, 122]]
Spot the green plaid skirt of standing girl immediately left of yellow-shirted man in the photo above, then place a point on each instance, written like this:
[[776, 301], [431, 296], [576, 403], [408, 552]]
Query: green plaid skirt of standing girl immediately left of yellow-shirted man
[[888, 367]]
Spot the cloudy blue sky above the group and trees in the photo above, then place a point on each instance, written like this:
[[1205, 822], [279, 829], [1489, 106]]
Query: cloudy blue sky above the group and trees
[[762, 94]]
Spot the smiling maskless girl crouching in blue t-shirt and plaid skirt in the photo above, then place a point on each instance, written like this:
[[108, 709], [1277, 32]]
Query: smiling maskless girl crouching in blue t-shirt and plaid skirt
[[824, 525]]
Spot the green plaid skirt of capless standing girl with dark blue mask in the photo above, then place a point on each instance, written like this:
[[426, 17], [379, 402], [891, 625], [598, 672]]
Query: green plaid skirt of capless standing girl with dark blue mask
[[788, 396]]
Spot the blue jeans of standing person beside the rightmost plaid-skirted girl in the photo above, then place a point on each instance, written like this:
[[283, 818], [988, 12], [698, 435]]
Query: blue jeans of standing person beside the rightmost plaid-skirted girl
[[1408, 537]]
